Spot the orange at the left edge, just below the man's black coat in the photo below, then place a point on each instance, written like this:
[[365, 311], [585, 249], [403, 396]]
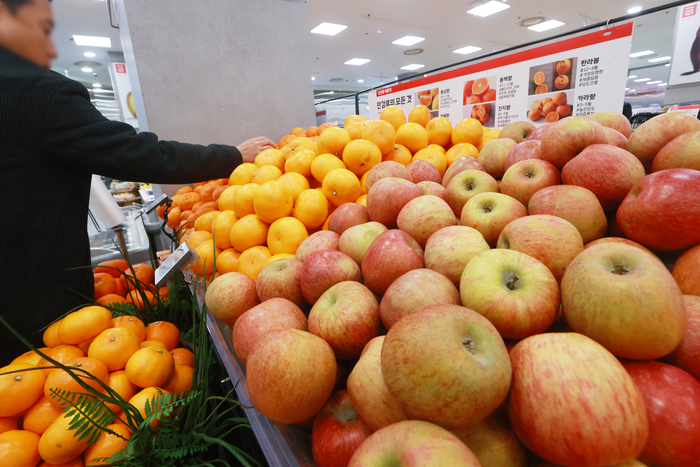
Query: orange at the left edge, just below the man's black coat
[[19, 391]]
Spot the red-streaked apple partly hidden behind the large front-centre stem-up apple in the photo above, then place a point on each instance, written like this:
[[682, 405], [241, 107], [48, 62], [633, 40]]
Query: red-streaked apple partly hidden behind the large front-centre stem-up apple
[[414, 290]]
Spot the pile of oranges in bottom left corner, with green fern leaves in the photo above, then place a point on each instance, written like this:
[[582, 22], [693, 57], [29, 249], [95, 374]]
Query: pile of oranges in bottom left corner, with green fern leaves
[[135, 360]]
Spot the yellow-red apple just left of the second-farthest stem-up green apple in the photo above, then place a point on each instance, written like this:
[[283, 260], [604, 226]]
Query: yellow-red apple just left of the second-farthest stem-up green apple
[[425, 215]]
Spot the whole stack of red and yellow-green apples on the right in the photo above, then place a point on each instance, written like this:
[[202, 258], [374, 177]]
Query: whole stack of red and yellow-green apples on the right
[[484, 318]]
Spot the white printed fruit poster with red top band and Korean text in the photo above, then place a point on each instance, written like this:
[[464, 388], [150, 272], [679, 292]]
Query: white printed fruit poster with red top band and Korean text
[[575, 76]]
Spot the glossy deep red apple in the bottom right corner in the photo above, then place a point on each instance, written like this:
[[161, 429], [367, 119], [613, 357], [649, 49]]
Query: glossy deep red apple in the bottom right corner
[[672, 399]]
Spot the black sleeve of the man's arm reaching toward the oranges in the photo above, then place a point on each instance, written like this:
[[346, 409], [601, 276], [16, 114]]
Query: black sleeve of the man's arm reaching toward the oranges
[[80, 137]]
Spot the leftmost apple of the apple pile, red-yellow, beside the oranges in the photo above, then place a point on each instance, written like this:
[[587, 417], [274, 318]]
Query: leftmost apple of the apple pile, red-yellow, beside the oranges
[[231, 295]]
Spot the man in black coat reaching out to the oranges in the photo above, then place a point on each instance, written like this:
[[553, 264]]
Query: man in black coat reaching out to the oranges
[[52, 139]]
